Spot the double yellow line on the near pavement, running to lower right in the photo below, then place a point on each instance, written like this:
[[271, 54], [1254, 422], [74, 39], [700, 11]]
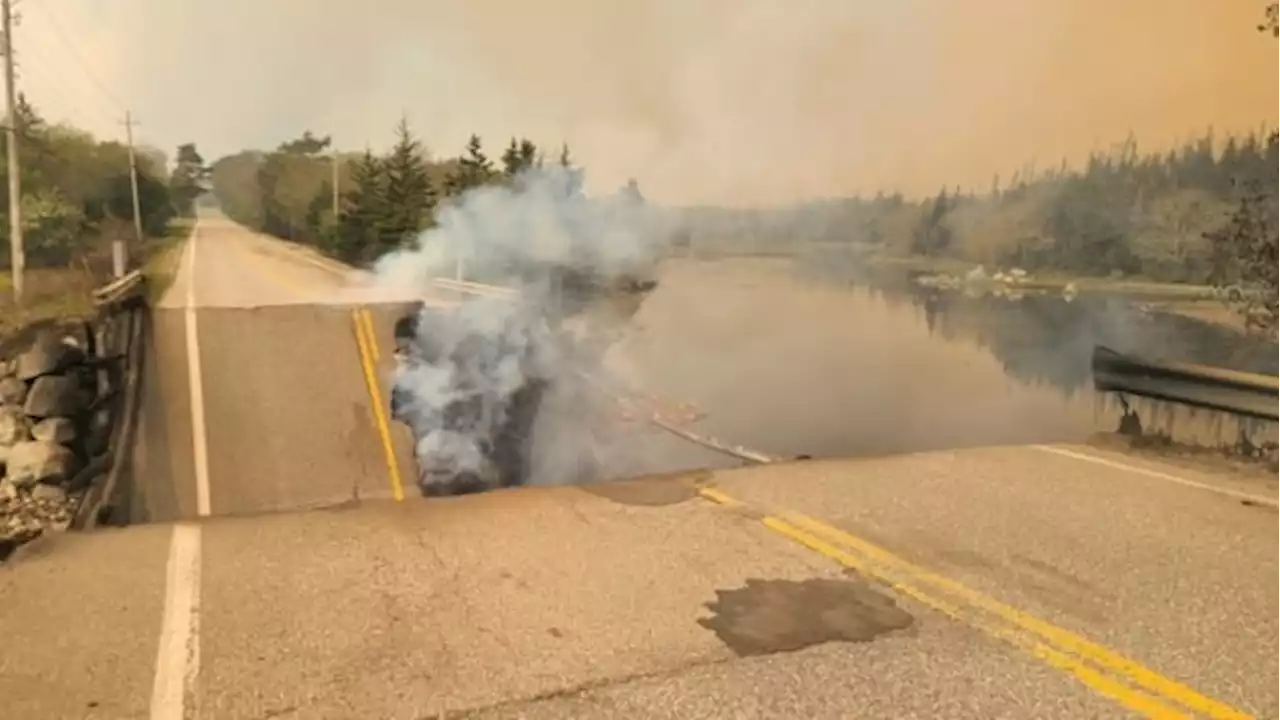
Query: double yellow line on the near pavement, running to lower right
[[1108, 673]]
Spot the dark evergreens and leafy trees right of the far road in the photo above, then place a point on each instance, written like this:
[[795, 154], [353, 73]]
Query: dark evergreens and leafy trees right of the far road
[[383, 200]]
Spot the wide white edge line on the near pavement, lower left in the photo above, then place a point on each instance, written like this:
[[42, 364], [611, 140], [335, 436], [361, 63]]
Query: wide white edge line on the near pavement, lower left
[[179, 658]]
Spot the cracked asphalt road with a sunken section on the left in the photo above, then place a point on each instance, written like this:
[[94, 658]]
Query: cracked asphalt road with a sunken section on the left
[[1000, 582]]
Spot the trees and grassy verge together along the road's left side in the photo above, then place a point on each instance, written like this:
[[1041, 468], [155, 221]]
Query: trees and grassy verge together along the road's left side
[[76, 200]]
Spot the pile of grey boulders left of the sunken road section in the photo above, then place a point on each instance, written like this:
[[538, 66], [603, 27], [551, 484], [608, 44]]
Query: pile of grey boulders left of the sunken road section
[[53, 420]]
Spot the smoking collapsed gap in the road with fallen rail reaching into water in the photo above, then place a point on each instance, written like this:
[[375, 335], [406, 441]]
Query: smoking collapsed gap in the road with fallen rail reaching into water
[[515, 388]]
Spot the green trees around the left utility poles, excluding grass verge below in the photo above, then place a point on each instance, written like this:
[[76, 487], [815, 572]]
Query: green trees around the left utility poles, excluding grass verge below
[[77, 195]]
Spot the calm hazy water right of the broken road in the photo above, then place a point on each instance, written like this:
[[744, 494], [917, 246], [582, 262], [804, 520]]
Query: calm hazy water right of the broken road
[[812, 358]]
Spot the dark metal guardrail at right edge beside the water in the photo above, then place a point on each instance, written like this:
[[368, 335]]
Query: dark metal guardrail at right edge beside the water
[[1199, 386]]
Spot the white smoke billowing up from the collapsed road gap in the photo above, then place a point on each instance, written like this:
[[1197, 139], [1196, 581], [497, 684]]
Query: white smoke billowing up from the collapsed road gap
[[472, 370]]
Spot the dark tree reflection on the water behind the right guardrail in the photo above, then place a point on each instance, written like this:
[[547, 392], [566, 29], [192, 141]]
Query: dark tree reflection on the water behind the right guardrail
[[1044, 338]]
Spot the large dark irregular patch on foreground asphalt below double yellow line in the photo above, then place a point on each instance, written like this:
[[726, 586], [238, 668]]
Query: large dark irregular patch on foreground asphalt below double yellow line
[[767, 617]]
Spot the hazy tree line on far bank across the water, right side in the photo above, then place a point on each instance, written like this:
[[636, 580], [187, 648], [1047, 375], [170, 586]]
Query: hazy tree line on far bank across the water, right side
[[1122, 212]]
